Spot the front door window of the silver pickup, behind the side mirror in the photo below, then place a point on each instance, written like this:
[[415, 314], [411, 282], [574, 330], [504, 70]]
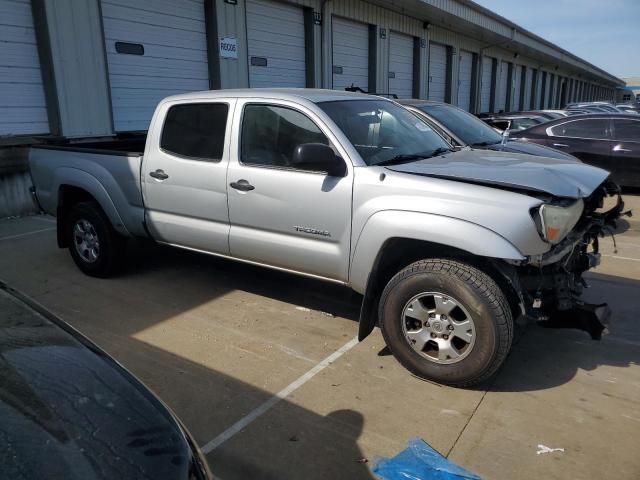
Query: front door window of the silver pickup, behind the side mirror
[[270, 135]]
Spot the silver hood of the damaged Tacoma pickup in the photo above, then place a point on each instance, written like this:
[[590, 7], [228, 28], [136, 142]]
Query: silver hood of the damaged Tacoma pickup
[[561, 178]]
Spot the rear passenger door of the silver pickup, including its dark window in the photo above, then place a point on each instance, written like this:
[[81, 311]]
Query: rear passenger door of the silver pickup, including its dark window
[[184, 177]]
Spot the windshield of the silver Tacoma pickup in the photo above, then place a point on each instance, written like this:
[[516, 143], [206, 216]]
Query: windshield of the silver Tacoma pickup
[[382, 131]]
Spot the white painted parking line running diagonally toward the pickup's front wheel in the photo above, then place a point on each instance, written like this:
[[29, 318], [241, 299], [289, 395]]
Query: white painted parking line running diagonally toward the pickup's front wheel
[[281, 395]]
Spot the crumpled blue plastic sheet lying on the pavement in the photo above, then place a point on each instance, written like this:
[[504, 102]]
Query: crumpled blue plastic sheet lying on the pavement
[[420, 462]]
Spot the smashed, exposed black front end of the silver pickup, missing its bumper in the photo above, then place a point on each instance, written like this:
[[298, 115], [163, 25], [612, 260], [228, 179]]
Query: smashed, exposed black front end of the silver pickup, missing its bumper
[[551, 284]]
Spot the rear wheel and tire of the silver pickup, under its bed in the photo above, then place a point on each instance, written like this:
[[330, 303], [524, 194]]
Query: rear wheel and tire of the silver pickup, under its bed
[[101, 253]]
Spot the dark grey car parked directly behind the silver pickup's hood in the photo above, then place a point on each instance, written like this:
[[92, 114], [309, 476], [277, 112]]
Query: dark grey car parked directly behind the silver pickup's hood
[[461, 128]]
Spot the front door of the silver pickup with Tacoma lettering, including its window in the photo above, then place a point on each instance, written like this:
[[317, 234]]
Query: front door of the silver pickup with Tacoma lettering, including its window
[[292, 219]]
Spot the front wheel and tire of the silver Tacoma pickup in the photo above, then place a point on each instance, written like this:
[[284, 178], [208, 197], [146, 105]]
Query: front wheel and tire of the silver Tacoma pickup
[[456, 352]]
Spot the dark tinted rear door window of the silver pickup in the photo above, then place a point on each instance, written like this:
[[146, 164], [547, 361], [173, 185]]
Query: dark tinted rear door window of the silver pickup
[[195, 131]]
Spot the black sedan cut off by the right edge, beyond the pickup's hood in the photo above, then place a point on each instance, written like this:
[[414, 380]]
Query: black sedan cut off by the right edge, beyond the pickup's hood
[[609, 141]]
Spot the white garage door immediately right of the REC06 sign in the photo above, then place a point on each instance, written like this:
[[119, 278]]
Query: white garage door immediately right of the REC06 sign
[[275, 38]]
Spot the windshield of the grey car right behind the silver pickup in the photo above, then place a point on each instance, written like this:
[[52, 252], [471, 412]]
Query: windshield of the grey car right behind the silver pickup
[[465, 126]]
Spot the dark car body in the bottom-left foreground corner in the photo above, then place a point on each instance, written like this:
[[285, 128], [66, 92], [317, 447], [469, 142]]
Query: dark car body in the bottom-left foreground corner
[[70, 411]]
